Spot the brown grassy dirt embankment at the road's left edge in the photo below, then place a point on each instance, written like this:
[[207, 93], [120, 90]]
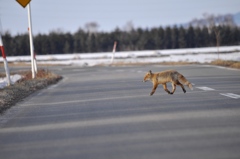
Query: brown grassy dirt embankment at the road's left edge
[[12, 94]]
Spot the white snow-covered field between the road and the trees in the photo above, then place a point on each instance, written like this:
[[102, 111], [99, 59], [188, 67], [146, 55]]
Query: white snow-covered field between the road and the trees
[[201, 55]]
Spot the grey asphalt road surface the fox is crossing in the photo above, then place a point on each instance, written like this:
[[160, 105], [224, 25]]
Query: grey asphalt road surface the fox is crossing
[[107, 113]]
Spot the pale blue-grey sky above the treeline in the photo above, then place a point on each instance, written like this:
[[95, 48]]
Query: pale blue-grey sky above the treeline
[[70, 15]]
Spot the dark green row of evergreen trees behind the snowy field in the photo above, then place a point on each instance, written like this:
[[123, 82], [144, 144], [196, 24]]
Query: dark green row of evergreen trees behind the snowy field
[[82, 41]]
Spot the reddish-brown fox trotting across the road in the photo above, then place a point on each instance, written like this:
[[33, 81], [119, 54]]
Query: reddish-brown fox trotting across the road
[[167, 76]]
